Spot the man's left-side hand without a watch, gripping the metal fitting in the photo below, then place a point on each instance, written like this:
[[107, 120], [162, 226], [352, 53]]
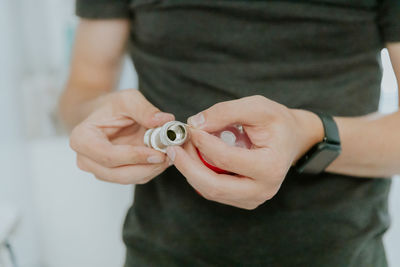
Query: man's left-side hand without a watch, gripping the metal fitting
[[109, 143]]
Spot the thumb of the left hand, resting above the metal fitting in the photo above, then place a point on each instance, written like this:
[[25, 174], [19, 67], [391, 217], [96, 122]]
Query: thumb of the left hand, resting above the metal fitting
[[144, 113]]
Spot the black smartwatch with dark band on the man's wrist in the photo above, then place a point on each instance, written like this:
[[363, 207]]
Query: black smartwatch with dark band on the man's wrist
[[318, 158]]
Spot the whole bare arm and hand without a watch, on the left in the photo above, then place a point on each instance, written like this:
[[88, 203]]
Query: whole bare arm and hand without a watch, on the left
[[108, 127]]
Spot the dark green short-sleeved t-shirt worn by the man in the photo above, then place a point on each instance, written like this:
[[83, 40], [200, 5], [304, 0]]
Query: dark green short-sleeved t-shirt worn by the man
[[308, 54]]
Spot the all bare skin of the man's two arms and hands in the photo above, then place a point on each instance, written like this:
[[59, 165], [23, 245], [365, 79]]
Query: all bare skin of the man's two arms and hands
[[108, 129]]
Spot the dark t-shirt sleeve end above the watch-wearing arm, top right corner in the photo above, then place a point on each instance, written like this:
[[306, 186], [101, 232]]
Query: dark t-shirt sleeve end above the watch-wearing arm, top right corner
[[389, 20]]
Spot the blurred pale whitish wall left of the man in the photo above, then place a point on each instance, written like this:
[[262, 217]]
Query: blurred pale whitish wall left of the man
[[67, 218]]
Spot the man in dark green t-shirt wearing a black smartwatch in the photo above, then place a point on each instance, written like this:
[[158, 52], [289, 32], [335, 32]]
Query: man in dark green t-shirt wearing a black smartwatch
[[269, 66]]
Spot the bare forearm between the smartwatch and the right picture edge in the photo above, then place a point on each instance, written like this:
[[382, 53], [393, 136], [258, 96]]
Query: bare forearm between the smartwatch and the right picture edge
[[370, 146]]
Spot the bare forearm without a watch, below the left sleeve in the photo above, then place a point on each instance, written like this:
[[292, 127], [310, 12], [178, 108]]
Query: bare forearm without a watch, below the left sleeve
[[95, 67]]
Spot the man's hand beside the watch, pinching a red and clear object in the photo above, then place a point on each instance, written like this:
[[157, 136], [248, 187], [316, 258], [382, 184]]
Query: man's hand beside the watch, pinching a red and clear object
[[279, 135]]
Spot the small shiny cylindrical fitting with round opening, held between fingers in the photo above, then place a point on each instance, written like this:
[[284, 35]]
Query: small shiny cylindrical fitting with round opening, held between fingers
[[173, 133]]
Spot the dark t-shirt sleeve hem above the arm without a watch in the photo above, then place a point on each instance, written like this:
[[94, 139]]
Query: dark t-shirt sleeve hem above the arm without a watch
[[103, 9]]
